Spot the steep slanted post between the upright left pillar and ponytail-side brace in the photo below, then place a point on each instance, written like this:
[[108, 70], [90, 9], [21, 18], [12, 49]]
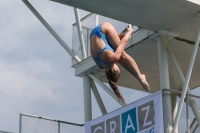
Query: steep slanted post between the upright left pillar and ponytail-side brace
[[98, 98]]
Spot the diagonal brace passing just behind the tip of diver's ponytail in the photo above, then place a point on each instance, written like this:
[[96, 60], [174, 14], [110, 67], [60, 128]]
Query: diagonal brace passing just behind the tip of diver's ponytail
[[111, 93]]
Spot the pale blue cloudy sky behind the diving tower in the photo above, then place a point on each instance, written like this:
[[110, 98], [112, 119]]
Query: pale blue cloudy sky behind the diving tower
[[36, 74]]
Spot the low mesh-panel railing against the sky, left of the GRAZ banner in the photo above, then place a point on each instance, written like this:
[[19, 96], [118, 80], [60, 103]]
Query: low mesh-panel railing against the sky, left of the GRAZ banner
[[36, 124]]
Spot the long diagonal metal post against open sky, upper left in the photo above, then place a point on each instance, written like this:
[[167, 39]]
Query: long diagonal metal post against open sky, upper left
[[57, 37]]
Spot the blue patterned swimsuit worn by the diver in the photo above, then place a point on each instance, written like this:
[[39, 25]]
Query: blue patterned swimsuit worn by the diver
[[97, 31]]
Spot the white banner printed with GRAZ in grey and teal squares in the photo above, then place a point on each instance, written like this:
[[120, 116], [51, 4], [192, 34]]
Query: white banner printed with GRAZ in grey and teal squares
[[142, 116]]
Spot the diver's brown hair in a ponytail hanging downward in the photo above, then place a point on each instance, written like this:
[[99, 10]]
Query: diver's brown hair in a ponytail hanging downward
[[112, 79]]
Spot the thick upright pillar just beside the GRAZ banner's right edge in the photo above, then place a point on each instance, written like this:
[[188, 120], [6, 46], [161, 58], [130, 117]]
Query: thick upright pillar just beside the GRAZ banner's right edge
[[164, 82]]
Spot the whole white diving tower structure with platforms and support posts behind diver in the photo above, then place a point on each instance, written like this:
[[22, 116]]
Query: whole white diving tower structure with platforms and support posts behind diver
[[172, 24]]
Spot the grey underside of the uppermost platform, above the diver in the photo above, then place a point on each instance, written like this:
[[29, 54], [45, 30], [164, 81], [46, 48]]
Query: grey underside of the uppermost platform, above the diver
[[153, 14]]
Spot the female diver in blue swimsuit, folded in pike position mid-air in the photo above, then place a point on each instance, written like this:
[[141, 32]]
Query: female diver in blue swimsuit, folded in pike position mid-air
[[107, 48]]
